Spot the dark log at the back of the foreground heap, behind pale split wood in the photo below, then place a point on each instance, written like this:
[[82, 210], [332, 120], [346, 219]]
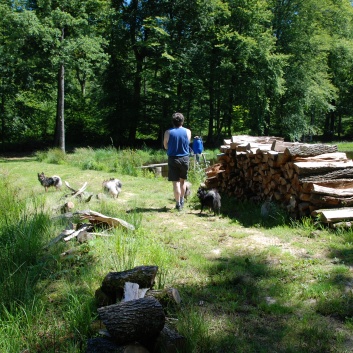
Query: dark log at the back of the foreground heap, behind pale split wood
[[114, 282]]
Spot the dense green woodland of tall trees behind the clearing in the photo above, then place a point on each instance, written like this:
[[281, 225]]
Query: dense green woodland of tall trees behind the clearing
[[99, 72]]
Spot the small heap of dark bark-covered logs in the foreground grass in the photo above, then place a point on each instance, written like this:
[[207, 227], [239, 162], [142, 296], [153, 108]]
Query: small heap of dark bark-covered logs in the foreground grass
[[133, 315]]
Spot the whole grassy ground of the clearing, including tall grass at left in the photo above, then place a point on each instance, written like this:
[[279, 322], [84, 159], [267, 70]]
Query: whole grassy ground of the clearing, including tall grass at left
[[247, 284]]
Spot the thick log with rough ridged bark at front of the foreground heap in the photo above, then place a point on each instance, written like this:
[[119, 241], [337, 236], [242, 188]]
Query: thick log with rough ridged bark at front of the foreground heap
[[139, 320]]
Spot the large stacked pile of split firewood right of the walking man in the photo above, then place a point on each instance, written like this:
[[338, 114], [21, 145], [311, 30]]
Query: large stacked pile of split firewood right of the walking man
[[306, 179]]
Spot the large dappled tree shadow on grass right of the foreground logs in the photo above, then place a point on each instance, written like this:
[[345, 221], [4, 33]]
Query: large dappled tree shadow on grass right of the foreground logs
[[242, 302]]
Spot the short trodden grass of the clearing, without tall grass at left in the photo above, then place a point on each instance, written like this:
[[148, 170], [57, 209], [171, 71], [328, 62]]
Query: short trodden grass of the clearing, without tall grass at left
[[247, 284]]
